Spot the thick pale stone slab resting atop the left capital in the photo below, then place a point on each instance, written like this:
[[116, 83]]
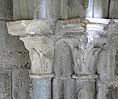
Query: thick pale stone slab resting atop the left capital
[[29, 27]]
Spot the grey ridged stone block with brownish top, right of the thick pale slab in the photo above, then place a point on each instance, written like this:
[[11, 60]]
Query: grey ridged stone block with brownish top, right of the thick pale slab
[[70, 28]]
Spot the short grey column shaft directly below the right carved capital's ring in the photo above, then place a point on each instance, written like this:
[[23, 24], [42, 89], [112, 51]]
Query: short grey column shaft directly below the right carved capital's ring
[[85, 89]]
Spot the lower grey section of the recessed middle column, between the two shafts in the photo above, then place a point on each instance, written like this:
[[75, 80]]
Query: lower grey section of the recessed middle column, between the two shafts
[[63, 88]]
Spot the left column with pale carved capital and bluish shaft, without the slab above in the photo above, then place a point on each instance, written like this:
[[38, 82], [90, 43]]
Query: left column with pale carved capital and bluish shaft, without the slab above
[[41, 54]]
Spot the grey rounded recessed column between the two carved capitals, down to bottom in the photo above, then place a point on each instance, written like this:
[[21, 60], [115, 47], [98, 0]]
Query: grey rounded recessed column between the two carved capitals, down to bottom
[[63, 84]]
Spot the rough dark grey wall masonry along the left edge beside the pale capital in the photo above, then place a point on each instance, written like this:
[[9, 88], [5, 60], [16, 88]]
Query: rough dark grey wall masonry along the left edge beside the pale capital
[[13, 56]]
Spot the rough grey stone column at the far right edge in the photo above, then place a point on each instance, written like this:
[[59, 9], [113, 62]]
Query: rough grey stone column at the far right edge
[[107, 85]]
